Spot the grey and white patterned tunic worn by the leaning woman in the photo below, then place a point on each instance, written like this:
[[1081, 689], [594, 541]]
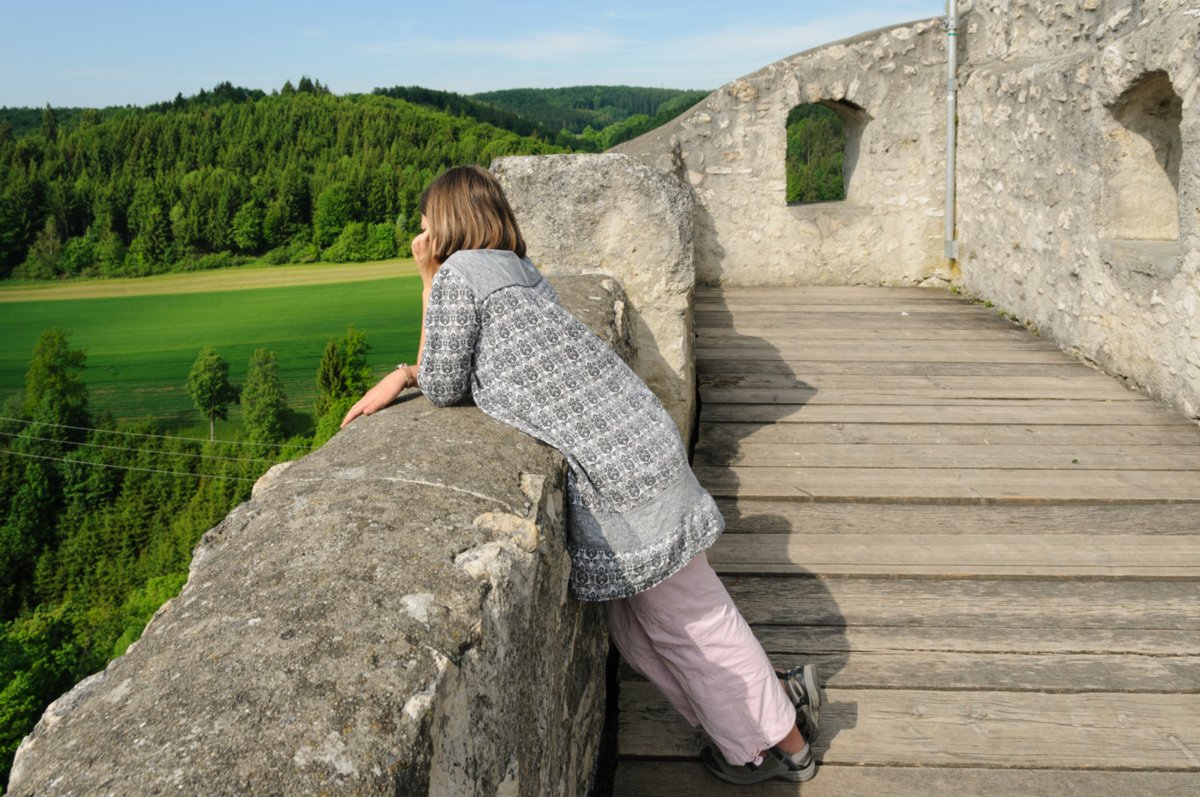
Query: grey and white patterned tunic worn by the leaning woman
[[495, 331]]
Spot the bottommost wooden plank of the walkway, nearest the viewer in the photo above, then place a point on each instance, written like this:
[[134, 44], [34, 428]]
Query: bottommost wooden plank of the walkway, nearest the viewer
[[655, 778]]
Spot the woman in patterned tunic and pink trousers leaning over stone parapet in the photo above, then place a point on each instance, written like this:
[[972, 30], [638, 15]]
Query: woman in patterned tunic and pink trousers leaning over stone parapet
[[639, 522]]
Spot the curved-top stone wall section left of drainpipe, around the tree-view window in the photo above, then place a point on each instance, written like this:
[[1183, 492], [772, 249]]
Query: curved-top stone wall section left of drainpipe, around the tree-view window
[[889, 87]]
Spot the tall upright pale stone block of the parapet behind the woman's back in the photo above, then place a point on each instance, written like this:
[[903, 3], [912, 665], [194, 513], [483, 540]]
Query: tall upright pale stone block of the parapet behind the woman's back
[[614, 215]]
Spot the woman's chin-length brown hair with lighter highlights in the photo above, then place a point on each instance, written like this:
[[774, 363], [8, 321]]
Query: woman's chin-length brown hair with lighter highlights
[[466, 209]]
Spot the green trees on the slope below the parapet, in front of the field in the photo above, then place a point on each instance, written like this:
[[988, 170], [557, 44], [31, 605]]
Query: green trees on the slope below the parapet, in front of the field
[[100, 520]]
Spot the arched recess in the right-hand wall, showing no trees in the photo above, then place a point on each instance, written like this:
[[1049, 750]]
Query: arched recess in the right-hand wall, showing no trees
[[1142, 169]]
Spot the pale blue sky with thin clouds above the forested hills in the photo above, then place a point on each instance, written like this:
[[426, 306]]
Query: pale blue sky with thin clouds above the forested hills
[[117, 52]]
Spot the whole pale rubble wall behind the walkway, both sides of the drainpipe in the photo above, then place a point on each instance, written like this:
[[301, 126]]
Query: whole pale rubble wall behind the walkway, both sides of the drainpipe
[[1078, 175]]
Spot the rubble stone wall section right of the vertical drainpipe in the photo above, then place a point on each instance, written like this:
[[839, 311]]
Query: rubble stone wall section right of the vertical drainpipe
[[1079, 181]]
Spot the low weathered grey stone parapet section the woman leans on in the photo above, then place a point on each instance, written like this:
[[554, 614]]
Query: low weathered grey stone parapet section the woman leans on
[[386, 616]]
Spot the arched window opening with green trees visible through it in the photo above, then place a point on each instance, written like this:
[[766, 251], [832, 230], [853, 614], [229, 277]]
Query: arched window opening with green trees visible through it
[[823, 148]]
